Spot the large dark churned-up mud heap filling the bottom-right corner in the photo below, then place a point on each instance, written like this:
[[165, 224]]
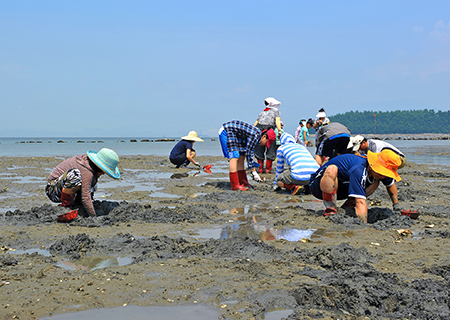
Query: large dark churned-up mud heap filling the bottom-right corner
[[350, 283]]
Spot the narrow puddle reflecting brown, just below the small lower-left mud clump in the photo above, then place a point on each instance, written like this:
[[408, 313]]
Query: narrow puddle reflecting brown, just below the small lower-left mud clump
[[94, 263]]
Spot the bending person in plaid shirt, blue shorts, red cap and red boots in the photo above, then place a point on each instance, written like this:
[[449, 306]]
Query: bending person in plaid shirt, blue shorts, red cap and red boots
[[238, 140]]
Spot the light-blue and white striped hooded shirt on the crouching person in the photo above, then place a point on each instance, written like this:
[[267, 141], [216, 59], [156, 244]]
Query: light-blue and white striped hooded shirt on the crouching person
[[297, 157]]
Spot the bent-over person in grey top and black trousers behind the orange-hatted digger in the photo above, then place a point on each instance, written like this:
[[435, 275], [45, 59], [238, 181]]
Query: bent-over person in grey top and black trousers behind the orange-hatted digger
[[331, 141]]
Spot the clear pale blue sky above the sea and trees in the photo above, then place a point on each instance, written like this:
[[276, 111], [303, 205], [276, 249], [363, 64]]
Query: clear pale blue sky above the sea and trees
[[163, 68]]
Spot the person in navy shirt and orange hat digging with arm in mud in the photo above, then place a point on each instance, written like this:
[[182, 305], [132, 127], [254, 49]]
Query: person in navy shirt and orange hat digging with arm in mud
[[345, 177]]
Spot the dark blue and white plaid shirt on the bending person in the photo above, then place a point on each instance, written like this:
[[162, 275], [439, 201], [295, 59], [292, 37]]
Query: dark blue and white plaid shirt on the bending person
[[242, 137]]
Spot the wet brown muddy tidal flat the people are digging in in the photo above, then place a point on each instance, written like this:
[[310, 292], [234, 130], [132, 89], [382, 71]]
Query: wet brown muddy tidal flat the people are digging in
[[167, 237]]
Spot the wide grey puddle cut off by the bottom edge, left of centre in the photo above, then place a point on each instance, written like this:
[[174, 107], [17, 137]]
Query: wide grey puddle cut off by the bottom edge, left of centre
[[196, 312]]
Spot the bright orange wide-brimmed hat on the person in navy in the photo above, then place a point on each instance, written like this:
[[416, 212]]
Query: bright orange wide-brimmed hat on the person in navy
[[385, 163]]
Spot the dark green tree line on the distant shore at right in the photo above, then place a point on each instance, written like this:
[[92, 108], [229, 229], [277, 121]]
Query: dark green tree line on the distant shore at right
[[406, 121]]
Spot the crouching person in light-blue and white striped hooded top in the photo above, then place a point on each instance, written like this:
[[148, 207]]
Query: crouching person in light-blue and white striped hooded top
[[294, 165]]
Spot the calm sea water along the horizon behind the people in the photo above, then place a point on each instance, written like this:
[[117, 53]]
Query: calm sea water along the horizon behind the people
[[417, 151]]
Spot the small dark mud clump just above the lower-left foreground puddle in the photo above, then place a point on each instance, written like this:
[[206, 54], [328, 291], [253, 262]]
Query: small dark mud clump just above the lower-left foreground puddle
[[73, 245]]
